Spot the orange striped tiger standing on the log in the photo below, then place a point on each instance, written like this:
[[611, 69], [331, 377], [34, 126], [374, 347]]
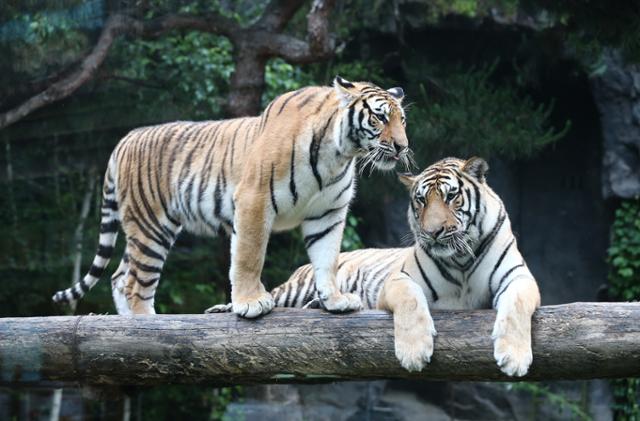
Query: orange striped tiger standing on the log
[[291, 166]]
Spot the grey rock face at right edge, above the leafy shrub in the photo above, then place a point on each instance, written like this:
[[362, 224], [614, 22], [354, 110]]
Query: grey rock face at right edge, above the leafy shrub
[[616, 92]]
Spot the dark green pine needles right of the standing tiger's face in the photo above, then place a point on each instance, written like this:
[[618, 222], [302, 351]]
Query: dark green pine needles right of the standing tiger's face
[[461, 112]]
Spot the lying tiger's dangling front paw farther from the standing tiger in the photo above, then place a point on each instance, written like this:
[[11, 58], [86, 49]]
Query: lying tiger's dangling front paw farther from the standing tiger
[[512, 353]]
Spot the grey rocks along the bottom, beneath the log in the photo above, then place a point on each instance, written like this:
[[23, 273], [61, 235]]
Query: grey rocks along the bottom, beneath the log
[[435, 401]]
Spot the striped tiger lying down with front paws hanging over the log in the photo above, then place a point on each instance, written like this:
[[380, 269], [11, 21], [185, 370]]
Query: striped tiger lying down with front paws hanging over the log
[[464, 257]]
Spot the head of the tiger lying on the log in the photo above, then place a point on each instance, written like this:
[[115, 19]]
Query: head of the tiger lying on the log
[[445, 199]]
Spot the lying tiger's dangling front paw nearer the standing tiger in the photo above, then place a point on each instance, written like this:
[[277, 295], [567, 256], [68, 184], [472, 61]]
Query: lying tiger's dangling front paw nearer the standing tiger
[[414, 340]]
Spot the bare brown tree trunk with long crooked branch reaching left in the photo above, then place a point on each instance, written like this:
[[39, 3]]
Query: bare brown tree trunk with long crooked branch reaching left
[[253, 46]]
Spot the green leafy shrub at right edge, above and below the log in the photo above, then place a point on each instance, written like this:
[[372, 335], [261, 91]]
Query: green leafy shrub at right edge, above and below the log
[[624, 284]]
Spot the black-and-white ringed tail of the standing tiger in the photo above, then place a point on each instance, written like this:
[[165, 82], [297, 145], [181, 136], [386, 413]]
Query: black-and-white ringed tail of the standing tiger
[[107, 240]]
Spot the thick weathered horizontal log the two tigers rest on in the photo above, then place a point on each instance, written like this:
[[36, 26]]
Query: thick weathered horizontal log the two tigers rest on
[[575, 341]]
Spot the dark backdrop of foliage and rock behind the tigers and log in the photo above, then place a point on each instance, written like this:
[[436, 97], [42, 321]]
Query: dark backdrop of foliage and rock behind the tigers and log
[[548, 93]]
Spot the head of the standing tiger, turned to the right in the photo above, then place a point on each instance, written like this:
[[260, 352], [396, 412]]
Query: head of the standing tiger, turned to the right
[[373, 124]]
